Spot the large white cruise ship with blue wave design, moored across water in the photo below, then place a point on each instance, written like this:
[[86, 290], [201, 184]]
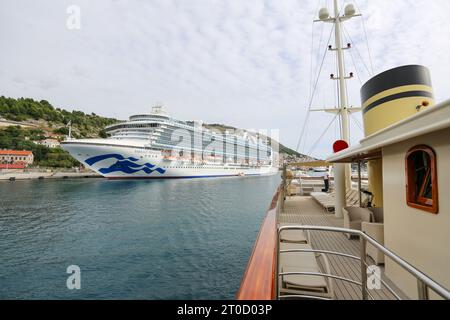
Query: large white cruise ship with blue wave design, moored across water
[[157, 146]]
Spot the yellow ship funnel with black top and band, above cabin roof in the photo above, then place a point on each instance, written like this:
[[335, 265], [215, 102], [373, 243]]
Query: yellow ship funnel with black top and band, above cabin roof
[[395, 95]]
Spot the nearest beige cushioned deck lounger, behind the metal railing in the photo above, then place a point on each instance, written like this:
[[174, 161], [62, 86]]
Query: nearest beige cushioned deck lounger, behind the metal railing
[[306, 285]]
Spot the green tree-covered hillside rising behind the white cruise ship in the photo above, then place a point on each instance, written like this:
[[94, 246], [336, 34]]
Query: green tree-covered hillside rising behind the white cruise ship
[[35, 121]]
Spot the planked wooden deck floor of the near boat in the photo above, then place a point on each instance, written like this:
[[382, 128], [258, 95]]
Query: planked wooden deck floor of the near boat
[[304, 210]]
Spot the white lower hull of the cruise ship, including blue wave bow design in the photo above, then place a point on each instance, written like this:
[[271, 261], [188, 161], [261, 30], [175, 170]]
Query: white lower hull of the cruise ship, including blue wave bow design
[[121, 161]]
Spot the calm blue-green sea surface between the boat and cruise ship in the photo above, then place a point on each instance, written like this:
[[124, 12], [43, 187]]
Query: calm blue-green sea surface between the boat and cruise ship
[[178, 239]]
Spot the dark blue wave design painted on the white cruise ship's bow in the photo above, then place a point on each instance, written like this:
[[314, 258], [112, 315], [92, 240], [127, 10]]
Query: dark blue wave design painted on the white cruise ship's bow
[[125, 165]]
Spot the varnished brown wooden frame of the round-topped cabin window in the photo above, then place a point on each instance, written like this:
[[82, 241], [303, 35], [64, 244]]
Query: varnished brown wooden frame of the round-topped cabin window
[[413, 195]]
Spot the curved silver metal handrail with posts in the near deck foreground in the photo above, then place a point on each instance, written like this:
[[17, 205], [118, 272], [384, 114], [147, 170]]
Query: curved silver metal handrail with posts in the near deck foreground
[[424, 282]]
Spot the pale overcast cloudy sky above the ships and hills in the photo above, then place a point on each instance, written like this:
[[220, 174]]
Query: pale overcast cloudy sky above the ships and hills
[[245, 63]]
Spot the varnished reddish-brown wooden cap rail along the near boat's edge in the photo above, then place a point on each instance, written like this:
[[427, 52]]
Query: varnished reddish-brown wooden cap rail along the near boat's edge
[[258, 282]]
